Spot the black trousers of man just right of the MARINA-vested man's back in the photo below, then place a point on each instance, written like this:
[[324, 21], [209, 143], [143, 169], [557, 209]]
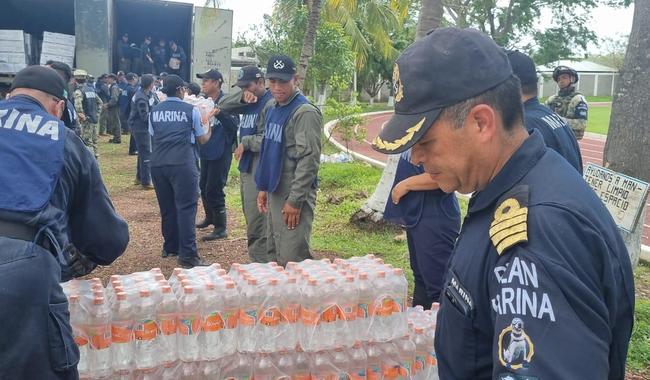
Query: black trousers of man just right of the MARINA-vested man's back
[[214, 175]]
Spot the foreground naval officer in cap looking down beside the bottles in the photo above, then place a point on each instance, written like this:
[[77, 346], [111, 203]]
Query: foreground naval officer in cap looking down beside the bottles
[[540, 284]]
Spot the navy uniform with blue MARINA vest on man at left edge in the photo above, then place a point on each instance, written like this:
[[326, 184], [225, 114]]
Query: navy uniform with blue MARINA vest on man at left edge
[[52, 186]]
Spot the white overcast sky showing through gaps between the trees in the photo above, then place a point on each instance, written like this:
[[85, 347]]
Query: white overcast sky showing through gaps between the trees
[[606, 22]]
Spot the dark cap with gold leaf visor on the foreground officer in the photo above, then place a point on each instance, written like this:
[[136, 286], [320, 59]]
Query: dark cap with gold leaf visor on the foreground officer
[[445, 67]]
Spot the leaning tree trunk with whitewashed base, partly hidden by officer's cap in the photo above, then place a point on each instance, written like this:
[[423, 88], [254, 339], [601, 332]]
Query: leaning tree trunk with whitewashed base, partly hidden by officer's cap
[[373, 209]]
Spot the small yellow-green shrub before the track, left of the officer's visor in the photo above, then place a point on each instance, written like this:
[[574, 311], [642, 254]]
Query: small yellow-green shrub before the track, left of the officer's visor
[[350, 126]]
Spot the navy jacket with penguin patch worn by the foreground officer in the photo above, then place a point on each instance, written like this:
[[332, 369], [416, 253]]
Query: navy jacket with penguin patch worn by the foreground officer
[[540, 284]]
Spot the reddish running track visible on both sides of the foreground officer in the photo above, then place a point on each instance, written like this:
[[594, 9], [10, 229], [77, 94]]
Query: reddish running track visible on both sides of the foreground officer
[[591, 146]]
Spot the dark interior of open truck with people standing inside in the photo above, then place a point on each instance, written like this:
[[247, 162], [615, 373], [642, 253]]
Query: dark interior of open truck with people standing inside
[[159, 19]]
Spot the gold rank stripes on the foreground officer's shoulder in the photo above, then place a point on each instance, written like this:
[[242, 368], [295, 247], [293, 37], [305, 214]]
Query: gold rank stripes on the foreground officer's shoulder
[[510, 225]]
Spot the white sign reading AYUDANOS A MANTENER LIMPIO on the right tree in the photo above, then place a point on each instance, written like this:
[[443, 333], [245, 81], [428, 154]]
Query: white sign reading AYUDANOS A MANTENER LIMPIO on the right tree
[[623, 196]]
